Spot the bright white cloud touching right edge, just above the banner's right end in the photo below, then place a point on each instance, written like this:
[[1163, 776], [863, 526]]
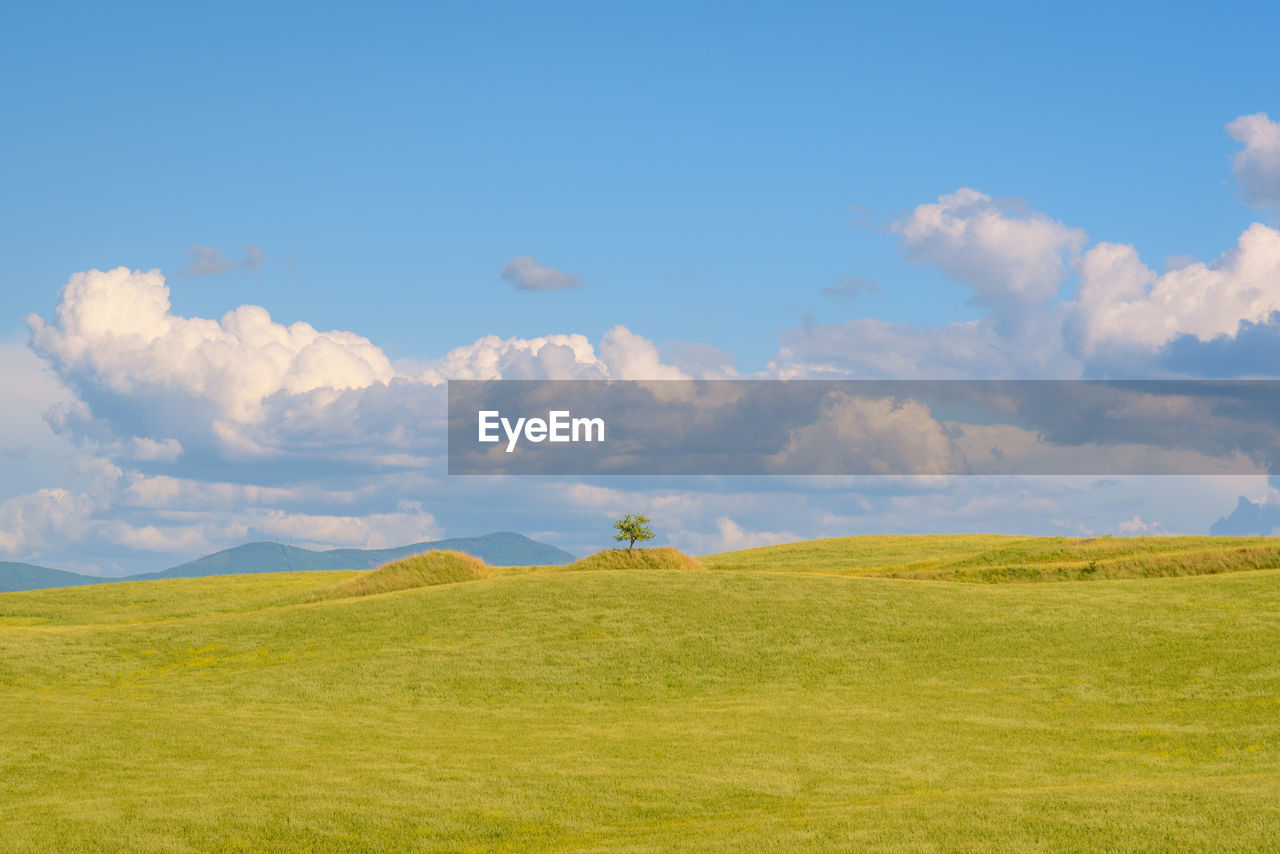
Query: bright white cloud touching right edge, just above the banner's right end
[[1123, 305]]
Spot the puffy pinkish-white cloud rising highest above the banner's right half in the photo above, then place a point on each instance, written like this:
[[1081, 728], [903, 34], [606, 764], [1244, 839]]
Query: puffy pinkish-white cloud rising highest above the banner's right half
[[1013, 262]]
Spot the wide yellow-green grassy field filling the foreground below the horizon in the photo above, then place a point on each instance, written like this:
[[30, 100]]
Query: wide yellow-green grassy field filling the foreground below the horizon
[[765, 701]]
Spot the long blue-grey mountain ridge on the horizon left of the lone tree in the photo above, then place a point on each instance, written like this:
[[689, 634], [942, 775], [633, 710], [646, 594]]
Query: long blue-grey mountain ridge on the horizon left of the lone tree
[[496, 550]]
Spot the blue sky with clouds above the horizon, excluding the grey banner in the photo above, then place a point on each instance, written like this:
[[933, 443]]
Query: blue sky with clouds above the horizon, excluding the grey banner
[[246, 245]]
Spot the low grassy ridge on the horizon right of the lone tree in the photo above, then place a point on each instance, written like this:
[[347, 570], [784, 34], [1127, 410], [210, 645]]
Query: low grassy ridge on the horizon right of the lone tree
[[984, 558]]
